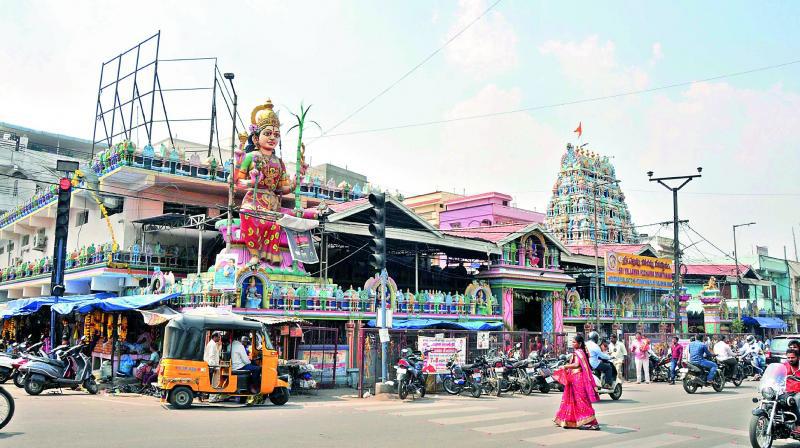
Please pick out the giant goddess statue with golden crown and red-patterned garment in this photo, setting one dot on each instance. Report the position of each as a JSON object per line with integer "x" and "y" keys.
{"x": 264, "y": 176}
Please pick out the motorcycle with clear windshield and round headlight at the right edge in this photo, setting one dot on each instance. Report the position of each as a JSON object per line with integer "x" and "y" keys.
{"x": 775, "y": 417}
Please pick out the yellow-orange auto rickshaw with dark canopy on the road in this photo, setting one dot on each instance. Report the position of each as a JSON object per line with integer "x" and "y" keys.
{"x": 184, "y": 374}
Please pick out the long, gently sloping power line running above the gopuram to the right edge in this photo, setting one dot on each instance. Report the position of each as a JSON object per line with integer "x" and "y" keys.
{"x": 565, "y": 103}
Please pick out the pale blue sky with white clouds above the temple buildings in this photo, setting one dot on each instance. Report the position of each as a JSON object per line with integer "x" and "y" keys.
{"x": 533, "y": 55}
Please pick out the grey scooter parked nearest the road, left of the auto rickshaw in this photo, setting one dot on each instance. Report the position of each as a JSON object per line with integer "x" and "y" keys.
{"x": 73, "y": 369}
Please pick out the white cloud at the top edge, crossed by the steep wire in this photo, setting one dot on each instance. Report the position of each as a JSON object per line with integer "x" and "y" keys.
{"x": 488, "y": 47}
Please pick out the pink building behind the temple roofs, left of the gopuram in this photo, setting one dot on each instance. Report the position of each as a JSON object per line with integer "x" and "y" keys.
{"x": 486, "y": 209}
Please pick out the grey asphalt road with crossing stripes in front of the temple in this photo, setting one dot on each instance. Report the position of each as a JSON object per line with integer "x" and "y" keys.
{"x": 654, "y": 415}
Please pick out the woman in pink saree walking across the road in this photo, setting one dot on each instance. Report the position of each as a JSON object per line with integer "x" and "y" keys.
{"x": 576, "y": 409}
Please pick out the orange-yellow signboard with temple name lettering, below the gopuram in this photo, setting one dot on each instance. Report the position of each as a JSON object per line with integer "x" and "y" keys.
{"x": 636, "y": 271}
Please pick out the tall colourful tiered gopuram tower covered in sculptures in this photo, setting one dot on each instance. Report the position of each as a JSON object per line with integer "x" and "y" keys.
{"x": 585, "y": 178}
